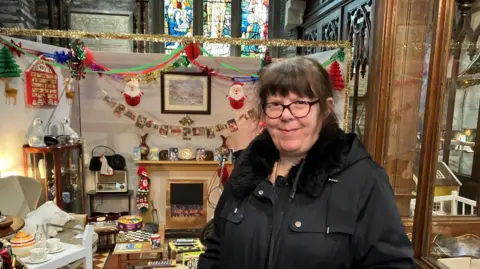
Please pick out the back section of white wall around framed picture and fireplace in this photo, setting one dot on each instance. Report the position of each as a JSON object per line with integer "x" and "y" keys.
{"x": 101, "y": 127}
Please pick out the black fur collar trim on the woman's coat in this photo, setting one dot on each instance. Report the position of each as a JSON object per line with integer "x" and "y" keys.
{"x": 327, "y": 157}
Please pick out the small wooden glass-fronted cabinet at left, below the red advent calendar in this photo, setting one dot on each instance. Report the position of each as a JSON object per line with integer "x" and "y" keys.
{"x": 60, "y": 170}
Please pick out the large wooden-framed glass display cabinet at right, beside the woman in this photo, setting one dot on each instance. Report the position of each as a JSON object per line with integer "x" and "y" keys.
{"x": 423, "y": 126}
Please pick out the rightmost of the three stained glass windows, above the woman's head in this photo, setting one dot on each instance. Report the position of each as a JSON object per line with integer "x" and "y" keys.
{"x": 254, "y": 25}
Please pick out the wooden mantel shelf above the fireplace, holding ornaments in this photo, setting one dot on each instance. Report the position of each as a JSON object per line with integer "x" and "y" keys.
{"x": 187, "y": 166}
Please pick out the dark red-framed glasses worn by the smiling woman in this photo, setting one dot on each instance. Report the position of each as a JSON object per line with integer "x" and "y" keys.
{"x": 298, "y": 109}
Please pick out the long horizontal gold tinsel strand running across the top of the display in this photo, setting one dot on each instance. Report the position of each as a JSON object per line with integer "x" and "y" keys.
{"x": 167, "y": 38}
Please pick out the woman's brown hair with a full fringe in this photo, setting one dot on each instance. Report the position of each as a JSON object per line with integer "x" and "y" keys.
{"x": 300, "y": 75}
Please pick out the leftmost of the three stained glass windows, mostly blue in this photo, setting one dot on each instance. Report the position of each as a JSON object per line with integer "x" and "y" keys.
{"x": 178, "y": 20}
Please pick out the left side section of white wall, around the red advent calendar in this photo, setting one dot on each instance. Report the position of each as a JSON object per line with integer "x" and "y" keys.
{"x": 16, "y": 120}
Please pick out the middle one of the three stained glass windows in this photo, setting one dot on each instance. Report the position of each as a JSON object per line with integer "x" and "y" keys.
{"x": 217, "y": 16}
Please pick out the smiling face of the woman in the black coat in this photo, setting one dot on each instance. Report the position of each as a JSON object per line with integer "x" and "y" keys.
{"x": 294, "y": 136}
